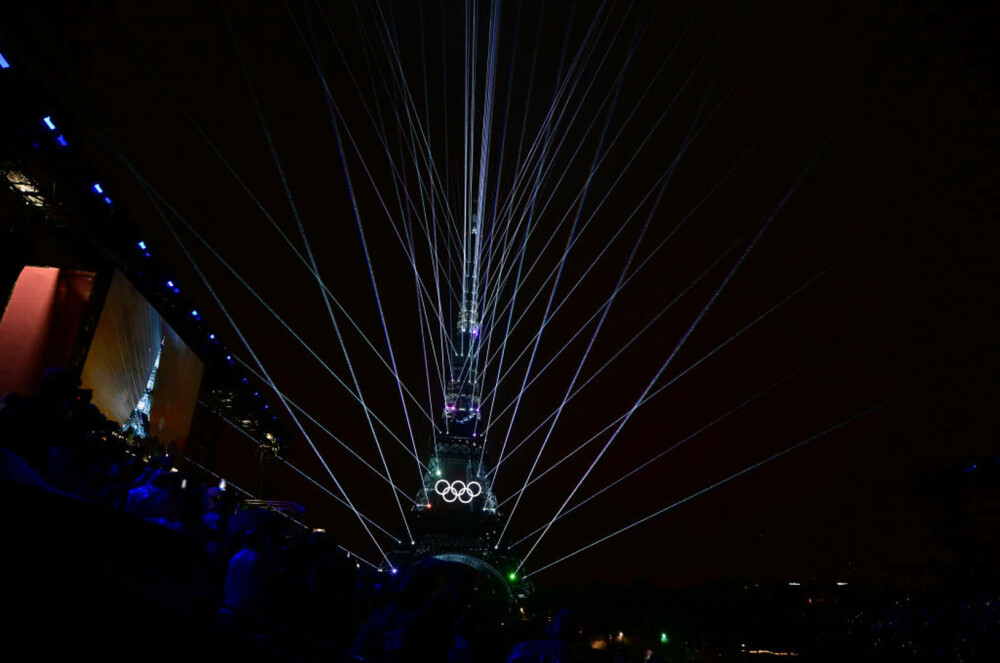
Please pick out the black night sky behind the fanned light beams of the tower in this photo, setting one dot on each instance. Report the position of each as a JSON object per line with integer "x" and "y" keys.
{"x": 893, "y": 107}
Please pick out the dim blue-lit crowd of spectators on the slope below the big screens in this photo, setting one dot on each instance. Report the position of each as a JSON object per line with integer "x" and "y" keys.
{"x": 267, "y": 574}
